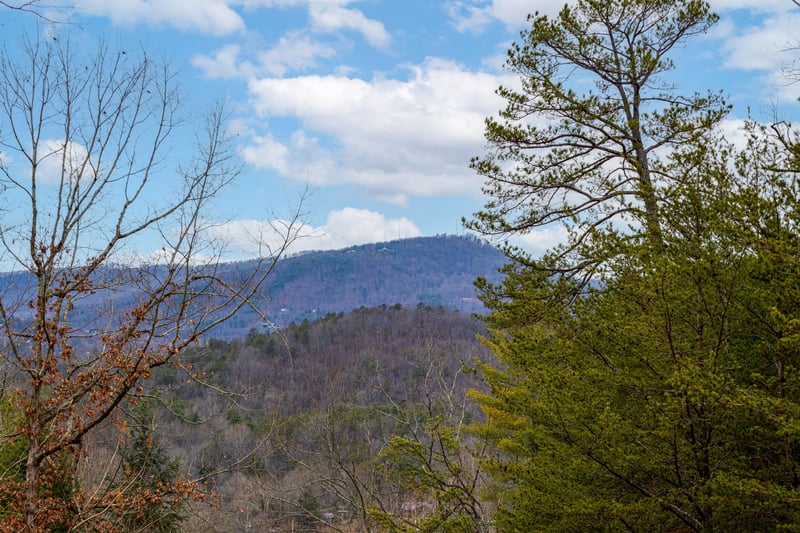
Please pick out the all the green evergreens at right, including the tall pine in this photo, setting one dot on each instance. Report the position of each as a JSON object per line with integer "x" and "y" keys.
{"x": 655, "y": 388}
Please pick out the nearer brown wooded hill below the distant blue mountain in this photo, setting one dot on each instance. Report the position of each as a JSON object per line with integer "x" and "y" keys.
{"x": 295, "y": 428}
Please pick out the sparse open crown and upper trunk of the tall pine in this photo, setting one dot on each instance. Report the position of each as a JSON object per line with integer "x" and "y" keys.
{"x": 589, "y": 160}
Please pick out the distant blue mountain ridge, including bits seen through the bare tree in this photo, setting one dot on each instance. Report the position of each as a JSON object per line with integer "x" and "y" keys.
{"x": 435, "y": 271}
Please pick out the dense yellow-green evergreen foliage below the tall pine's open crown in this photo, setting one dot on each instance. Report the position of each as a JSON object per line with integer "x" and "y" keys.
{"x": 661, "y": 400}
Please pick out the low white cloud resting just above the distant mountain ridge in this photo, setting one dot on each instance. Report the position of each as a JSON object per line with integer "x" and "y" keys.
{"x": 343, "y": 228}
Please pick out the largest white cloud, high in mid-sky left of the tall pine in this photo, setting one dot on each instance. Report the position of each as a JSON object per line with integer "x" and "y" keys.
{"x": 394, "y": 137}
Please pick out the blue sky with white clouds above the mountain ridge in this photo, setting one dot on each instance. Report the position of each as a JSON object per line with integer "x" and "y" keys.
{"x": 377, "y": 106}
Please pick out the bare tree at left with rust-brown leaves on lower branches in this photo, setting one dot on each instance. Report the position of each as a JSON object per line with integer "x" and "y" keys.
{"x": 85, "y": 174}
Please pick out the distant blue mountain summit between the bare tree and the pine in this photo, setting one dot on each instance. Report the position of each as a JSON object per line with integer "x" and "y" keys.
{"x": 429, "y": 270}
